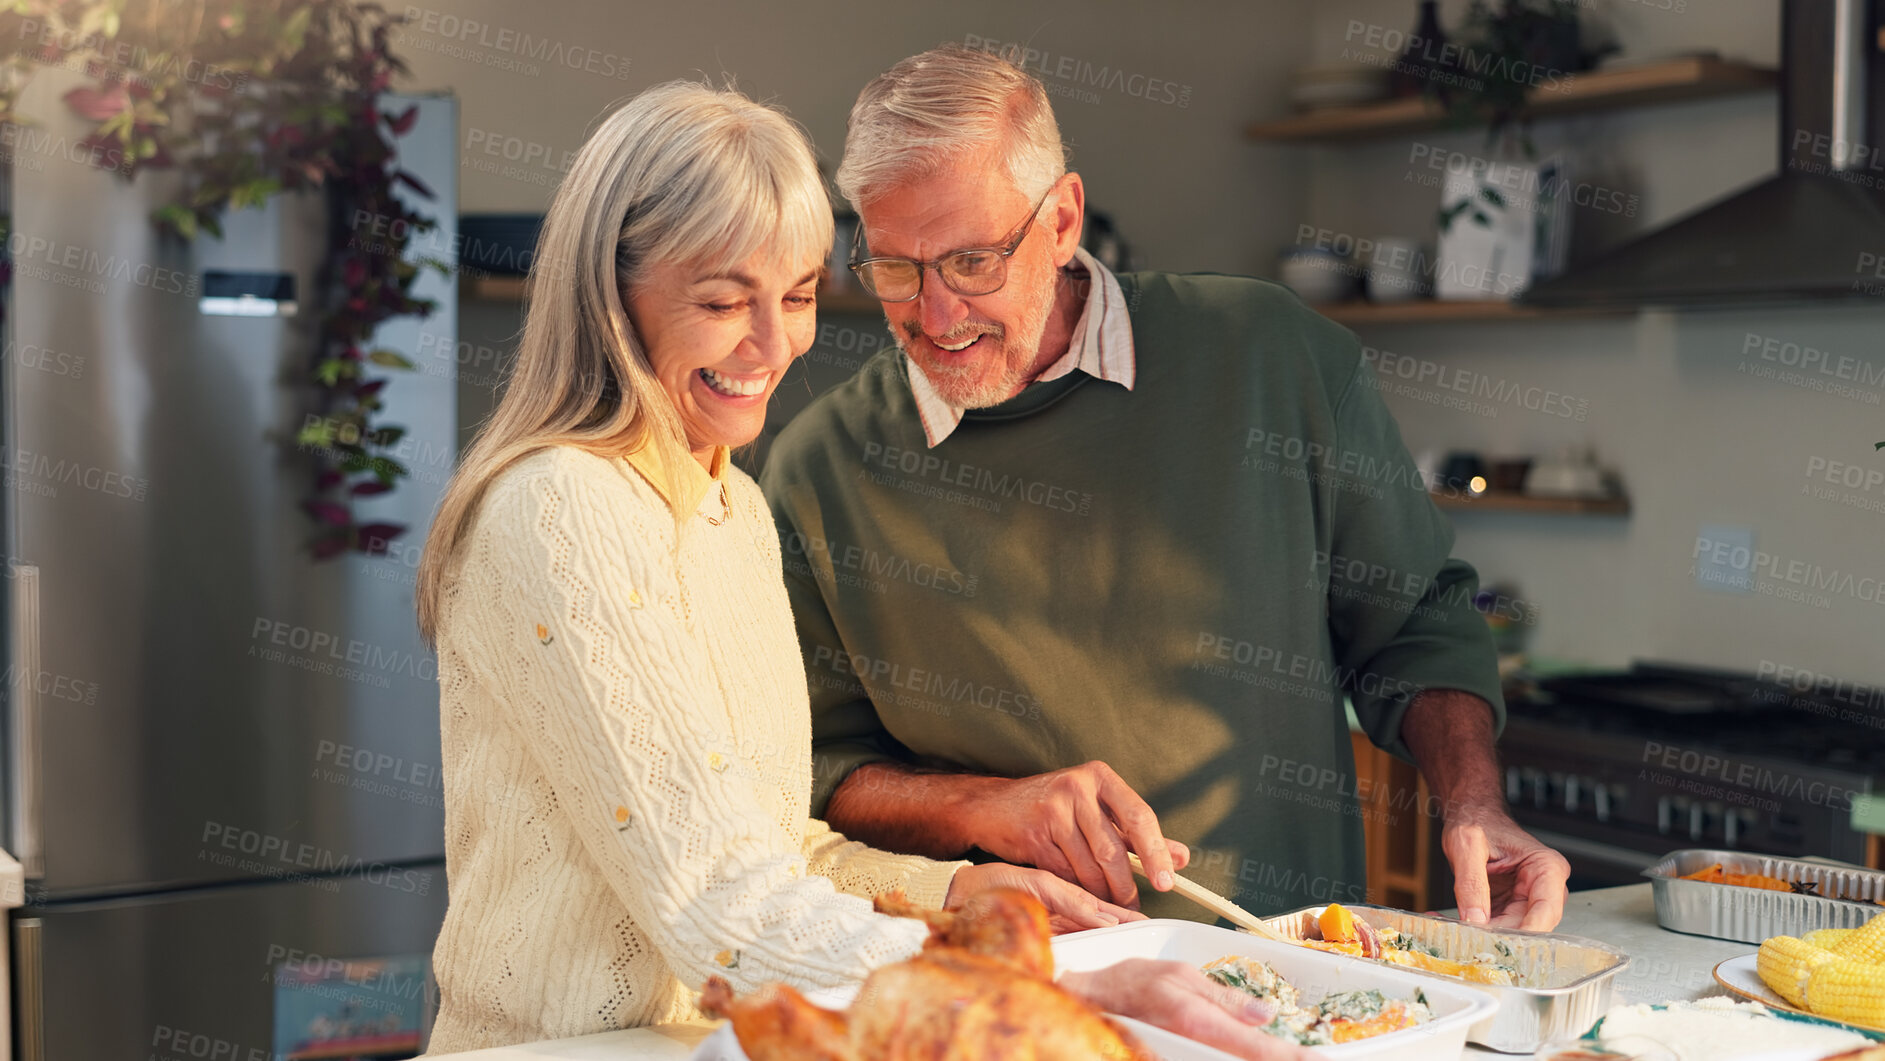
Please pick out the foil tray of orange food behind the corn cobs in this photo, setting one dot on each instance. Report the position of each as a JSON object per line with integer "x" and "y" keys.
{"x": 1752, "y": 915}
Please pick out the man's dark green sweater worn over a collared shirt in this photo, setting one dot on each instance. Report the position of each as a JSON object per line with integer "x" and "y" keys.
{"x": 1177, "y": 579}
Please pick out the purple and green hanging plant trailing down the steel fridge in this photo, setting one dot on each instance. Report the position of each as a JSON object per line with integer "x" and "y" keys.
{"x": 250, "y": 99}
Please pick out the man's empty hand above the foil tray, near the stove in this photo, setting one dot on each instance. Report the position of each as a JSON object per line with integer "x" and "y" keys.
{"x": 1501, "y": 873}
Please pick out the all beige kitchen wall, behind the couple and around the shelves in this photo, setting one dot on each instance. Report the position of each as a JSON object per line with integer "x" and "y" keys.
{"x": 1696, "y": 440}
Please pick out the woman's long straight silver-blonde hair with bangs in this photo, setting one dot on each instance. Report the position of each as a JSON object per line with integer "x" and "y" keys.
{"x": 681, "y": 174}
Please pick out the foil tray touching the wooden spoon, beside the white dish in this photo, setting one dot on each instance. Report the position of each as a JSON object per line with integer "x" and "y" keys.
{"x": 1569, "y": 981}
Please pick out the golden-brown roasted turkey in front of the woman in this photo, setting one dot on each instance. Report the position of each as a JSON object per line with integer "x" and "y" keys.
{"x": 981, "y": 988}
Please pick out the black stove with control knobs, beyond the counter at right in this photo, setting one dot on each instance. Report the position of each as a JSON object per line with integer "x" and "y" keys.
{"x": 1622, "y": 768}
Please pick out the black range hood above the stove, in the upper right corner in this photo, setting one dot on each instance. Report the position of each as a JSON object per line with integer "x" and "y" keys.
{"x": 1814, "y": 231}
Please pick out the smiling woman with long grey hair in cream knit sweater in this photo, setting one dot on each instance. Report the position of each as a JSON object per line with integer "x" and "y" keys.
{"x": 625, "y": 710}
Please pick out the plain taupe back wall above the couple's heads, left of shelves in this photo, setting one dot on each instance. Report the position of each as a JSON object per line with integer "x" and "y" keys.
{"x": 1179, "y": 180}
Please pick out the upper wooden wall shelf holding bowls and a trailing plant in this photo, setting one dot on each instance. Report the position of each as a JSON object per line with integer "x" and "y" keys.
{"x": 1696, "y": 78}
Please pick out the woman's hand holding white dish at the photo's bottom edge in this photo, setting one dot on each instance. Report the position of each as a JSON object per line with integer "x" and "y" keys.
{"x": 1181, "y": 1000}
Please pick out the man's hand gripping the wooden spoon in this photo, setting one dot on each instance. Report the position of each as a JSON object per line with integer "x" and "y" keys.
{"x": 1077, "y": 824}
